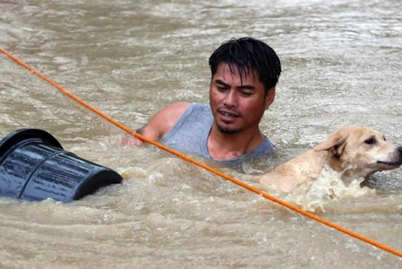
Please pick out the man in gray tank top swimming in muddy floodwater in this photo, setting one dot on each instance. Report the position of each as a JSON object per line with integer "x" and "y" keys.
{"x": 245, "y": 72}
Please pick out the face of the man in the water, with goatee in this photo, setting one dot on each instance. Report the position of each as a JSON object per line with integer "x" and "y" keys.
{"x": 237, "y": 103}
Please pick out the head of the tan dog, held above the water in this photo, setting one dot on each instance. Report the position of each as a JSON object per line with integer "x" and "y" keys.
{"x": 360, "y": 151}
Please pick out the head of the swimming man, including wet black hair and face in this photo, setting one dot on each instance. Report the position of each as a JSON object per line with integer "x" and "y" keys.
{"x": 244, "y": 74}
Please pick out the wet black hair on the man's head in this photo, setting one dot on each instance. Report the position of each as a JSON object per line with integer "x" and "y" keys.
{"x": 248, "y": 55}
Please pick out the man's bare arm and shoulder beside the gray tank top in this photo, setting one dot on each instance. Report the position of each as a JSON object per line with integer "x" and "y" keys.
{"x": 159, "y": 125}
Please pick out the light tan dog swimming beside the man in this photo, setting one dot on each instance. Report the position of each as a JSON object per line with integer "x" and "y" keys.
{"x": 353, "y": 151}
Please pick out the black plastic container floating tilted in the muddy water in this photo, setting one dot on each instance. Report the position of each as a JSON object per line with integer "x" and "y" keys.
{"x": 34, "y": 166}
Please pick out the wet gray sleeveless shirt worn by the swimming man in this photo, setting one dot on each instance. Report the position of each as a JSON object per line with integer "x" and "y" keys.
{"x": 190, "y": 135}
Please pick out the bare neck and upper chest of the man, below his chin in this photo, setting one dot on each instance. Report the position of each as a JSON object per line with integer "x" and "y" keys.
{"x": 223, "y": 146}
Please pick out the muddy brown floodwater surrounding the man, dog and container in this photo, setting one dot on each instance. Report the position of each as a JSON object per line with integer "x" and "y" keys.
{"x": 341, "y": 66}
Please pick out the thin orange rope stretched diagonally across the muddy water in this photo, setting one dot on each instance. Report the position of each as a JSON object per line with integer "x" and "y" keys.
{"x": 210, "y": 169}
